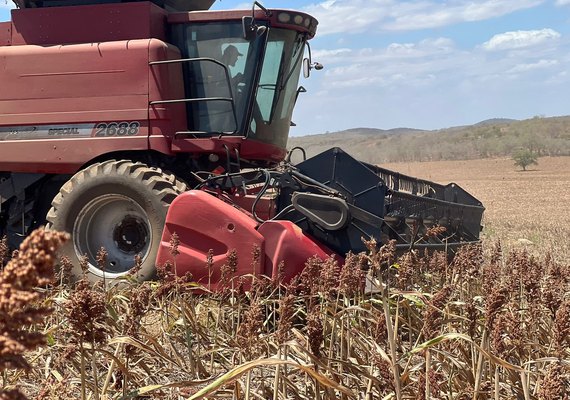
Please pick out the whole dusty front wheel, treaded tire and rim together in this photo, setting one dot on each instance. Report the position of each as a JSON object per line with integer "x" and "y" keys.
{"x": 120, "y": 206}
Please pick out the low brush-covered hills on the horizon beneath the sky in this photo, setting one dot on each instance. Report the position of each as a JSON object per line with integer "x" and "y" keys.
{"x": 496, "y": 137}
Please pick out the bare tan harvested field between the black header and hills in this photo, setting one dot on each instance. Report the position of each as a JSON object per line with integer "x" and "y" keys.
{"x": 523, "y": 208}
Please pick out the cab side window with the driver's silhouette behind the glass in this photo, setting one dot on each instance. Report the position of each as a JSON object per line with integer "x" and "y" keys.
{"x": 225, "y": 69}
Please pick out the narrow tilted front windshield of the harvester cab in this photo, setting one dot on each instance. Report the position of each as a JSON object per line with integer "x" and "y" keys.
{"x": 275, "y": 98}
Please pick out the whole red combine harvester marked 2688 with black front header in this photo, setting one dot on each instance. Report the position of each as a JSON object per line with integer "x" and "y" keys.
{"x": 110, "y": 111}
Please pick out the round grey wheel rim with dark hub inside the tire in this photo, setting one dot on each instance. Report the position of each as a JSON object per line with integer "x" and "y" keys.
{"x": 119, "y": 225}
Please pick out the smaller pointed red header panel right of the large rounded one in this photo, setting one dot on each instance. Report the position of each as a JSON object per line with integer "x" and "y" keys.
{"x": 285, "y": 242}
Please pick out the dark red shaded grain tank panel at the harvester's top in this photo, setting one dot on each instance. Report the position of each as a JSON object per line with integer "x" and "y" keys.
{"x": 88, "y": 24}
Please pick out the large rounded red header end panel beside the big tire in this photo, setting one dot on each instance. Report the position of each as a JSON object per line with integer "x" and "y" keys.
{"x": 202, "y": 223}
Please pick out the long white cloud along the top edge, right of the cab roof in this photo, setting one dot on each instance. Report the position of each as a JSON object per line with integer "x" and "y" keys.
{"x": 355, "y": 16}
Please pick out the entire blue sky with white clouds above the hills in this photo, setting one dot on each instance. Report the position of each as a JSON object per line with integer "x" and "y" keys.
{"x": 429, "y": 64}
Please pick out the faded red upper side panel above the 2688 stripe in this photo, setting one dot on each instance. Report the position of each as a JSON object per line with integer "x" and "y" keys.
{"x": 75, "y": 83}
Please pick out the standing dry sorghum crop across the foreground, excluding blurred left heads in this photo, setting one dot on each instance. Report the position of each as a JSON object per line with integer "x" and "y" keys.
{"x": 495, "y": 326}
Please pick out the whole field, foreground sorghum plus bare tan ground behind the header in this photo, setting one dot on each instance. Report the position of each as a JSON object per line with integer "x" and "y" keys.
{"x": 494, "y": 323}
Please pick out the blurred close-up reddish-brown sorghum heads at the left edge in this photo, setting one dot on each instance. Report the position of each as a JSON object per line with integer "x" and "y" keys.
{"x": 19, "y": 309}
